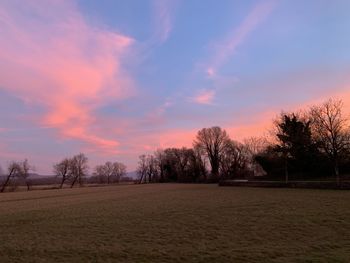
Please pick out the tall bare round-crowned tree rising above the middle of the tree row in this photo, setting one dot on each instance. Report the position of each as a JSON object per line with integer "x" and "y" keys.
{"x": 212, "y": 142}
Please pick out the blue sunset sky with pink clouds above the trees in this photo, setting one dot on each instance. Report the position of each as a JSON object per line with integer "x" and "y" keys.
{"x": 117, "y": 79}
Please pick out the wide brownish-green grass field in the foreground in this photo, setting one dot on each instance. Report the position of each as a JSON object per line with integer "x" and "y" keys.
{"x": 175, "y": 223}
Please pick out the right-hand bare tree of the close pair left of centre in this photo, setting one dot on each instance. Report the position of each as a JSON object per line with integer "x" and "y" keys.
{"x": 78, "y": 168}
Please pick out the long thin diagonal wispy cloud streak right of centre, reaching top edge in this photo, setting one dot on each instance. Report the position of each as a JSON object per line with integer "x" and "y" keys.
{"x": 227, "y": 47}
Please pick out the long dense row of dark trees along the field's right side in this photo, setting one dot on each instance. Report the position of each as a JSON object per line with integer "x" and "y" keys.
{"x": 308, "y": 144}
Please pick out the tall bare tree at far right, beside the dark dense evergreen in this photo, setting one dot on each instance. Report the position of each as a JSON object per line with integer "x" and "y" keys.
{"x": 331, "y": 131}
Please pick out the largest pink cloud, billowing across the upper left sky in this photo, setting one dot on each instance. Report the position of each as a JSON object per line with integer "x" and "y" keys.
{"x": 51, "y": 57}
